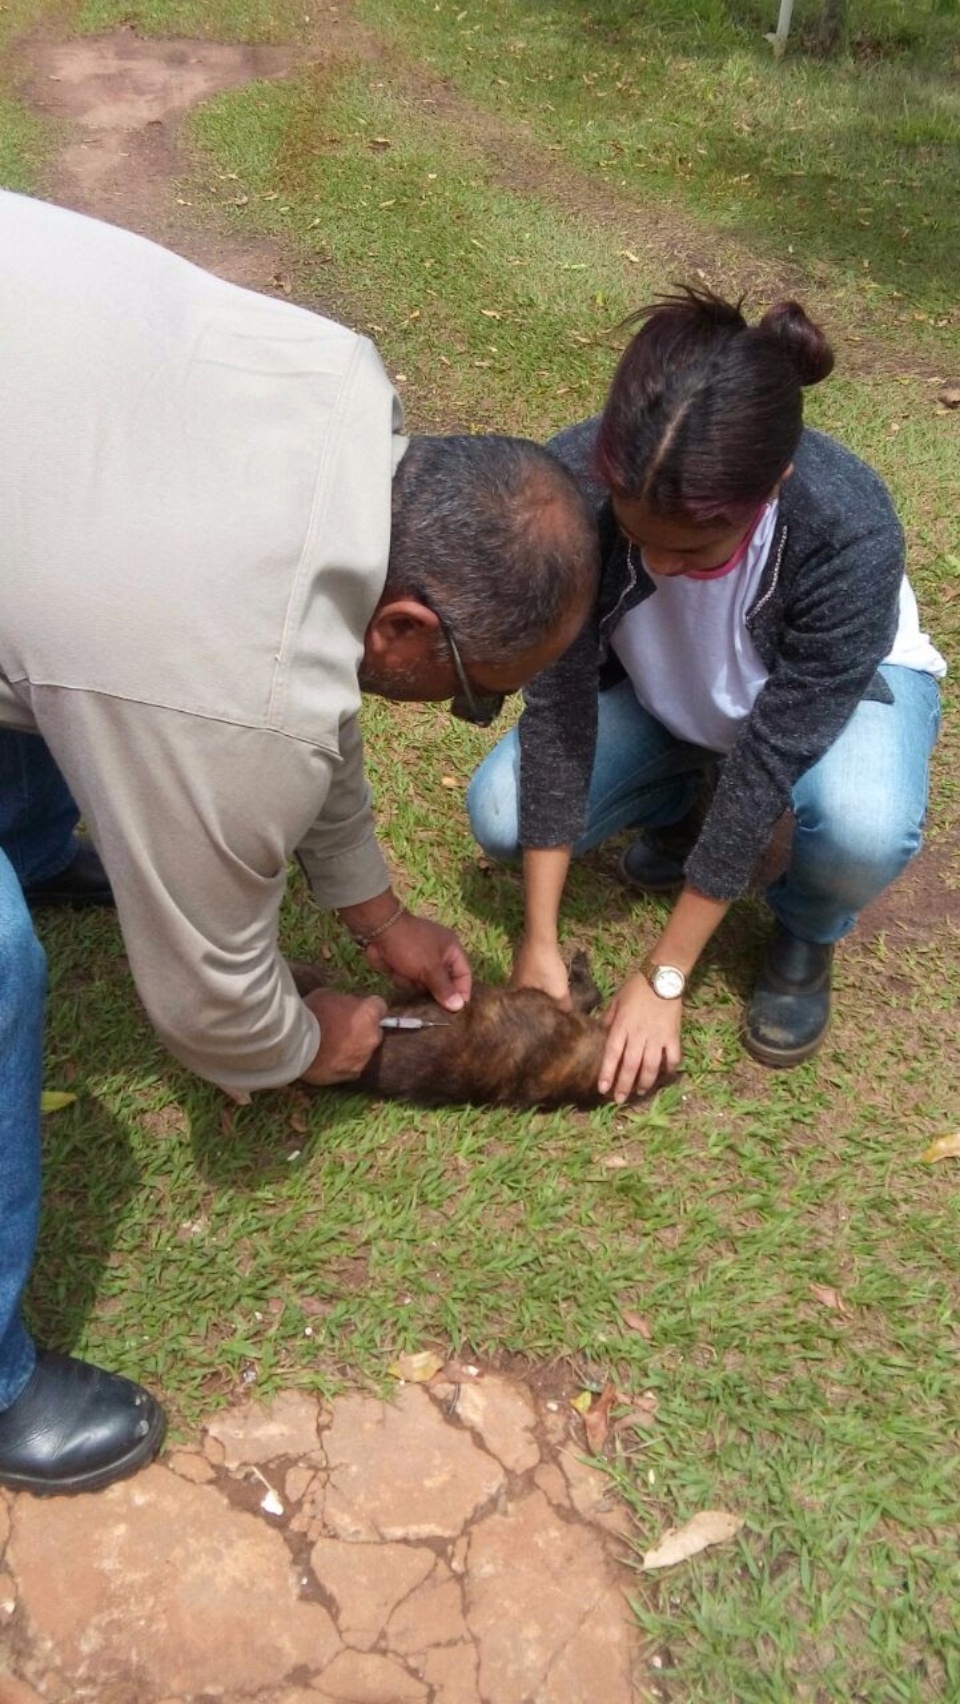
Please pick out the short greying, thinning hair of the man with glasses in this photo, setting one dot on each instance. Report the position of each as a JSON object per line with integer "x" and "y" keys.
{"x": 497, "y": 534}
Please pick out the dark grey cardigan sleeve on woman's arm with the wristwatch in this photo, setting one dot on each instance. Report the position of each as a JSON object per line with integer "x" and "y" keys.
{"x": 838, "y": 630}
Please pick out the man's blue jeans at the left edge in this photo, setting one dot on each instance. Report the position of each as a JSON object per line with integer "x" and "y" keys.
{"x": 37, "y": 841}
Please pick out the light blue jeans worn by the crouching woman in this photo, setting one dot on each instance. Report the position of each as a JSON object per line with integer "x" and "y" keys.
{"x": 859, "y": 810}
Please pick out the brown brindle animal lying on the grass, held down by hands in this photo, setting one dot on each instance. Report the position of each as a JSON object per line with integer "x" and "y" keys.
{"x": 507, "y": 1047}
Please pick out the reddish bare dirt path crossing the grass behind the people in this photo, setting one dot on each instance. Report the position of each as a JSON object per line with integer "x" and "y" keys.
{"x": 127, "y": 96}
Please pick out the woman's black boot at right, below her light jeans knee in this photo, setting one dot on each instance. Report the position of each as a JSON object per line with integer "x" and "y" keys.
{"x": 790, "y": 1008}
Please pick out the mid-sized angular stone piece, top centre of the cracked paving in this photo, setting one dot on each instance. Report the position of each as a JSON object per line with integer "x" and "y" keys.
{"x": 402, "y": 1471}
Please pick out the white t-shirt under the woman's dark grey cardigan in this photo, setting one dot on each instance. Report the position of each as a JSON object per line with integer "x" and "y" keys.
{"x": 693, "y": 662}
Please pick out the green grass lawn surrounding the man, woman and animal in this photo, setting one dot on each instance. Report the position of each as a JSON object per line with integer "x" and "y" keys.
{"x": 461, "y": 199}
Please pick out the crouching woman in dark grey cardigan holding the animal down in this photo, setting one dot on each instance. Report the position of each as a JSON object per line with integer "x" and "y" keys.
{"x": 763, "y": 636}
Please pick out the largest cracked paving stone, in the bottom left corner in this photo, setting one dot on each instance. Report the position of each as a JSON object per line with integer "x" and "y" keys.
{"x": 161, "y": 1586}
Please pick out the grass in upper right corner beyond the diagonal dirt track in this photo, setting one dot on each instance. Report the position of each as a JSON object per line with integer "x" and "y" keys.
{"x": 852, "y": 164}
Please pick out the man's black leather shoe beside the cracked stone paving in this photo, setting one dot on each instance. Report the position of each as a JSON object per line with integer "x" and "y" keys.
{"x": 78, "y": 1429}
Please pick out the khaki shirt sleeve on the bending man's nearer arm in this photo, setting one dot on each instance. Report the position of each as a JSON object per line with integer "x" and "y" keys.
{"x": 195, "y": 822}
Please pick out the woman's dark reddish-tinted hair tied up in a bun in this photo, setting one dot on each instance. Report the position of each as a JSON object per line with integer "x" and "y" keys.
{"x": 705, "y": 412}
